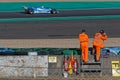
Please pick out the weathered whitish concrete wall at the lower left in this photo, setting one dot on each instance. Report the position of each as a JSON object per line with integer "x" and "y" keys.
{"x": 23, "y": 66}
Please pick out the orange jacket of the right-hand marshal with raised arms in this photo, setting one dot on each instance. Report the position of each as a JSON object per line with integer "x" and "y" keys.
{"x": 99, "y": 40}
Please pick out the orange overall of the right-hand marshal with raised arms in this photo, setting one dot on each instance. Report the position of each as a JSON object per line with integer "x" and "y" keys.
{"x": 98, "y": 43}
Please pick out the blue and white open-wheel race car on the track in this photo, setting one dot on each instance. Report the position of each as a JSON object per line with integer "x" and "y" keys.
{"x": 41, "y": 9}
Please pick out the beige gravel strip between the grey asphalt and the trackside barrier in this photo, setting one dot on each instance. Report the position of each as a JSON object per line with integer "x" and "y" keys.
{"x": 51, "y": 43}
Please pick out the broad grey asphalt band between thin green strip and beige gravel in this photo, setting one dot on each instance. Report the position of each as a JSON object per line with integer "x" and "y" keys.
{"x": 58, "y": 29}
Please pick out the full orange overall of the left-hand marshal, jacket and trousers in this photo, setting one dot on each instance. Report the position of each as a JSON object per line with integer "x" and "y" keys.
{"x": 83, "y": 38}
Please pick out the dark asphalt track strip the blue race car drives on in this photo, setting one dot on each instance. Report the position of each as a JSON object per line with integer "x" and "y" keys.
{"x": 63, "y": 13}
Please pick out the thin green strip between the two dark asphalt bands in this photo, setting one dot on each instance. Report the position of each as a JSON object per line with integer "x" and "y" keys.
{"x": 58, "y": 18}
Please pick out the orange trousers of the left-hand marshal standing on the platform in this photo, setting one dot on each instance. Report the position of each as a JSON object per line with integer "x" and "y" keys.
{"x": 84, "y": 53}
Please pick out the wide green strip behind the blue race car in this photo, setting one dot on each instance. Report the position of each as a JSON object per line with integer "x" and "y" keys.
{"x": 17, "y": 6}
